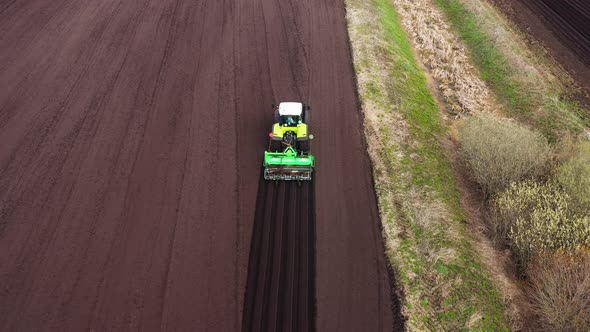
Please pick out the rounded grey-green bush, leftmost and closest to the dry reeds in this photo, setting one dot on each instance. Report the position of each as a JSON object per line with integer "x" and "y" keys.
{"x": 499, "y": 153}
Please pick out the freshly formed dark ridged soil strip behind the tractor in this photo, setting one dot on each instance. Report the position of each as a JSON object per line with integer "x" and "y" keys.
{"x": 280, "y": 291}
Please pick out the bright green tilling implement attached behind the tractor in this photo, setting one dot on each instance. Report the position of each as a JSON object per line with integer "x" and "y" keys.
{"x": 288, "y": 165}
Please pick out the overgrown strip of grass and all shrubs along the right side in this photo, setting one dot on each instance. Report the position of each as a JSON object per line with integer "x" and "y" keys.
{"x": 538, "y": 193}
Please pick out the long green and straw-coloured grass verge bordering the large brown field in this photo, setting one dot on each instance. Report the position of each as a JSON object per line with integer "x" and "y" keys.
{"x": 445, "y": 284}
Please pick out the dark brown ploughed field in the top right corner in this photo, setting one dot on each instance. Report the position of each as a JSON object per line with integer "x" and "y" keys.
{"x": 562, "y": 26}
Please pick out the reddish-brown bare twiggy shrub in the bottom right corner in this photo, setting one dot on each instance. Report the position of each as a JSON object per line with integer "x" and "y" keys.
{"x": 560, "y": 291}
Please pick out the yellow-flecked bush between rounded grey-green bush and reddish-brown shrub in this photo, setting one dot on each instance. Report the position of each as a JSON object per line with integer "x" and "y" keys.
{"x": 537, "y": 217}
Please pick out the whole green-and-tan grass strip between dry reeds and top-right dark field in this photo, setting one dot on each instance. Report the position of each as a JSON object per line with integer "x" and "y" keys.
{"x": 530, "y": 87}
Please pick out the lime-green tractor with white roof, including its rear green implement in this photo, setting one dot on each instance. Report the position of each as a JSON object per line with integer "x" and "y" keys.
{"x": 288, "y": 157}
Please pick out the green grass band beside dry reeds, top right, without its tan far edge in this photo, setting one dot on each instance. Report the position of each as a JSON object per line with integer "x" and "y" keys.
{"x": 547, "y": 108}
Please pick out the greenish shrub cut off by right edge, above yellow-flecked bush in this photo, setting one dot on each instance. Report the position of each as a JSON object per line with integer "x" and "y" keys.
{"x": 574, "y": 177}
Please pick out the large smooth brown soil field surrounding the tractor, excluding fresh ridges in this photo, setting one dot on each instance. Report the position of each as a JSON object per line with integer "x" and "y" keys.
{"x": 132, "y": 135}
